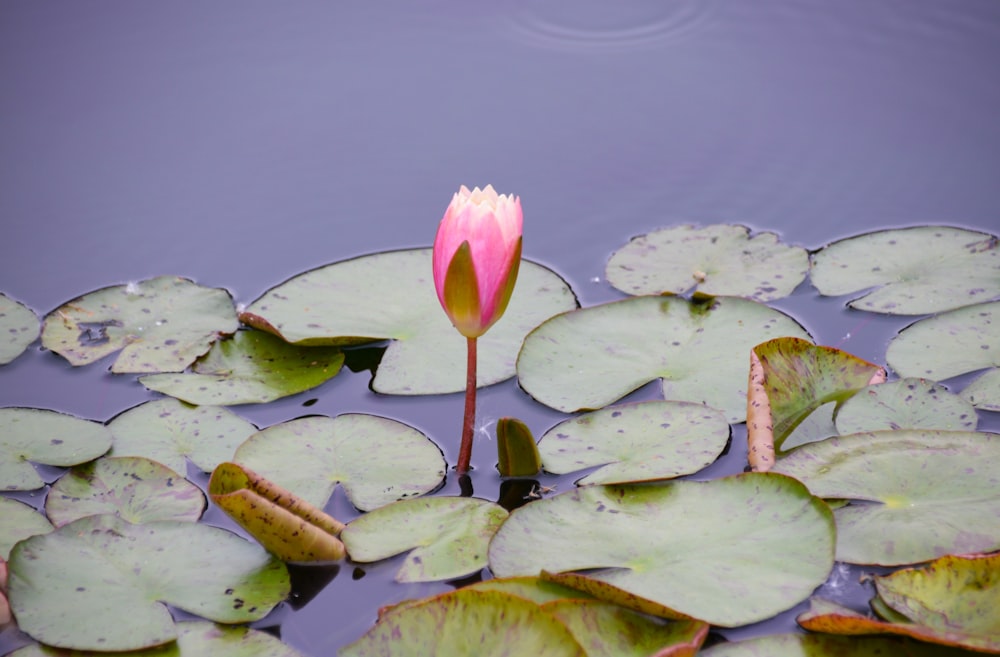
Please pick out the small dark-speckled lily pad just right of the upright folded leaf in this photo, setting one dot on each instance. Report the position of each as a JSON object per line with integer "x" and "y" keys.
{"x": 906, "y": 404}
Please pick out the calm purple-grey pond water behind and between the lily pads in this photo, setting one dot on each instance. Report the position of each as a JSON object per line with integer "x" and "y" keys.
{"x": 239, "y": 144}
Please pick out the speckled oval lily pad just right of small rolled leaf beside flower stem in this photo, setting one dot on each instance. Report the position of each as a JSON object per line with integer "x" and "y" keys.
{"x": 636, "y": 442}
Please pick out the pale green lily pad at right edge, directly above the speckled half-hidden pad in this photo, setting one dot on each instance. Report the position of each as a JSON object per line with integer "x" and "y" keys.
{"x": 953, "y": 343}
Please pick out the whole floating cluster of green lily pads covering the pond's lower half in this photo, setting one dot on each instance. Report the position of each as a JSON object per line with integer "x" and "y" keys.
{"x": 849, "y": 468}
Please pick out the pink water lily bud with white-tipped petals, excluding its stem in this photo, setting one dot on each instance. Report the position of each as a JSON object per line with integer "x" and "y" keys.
{"x": 477, "y": 252}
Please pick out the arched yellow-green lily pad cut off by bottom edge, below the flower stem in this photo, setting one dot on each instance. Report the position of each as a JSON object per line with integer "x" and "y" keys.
{"x": 467, "y": 622}
